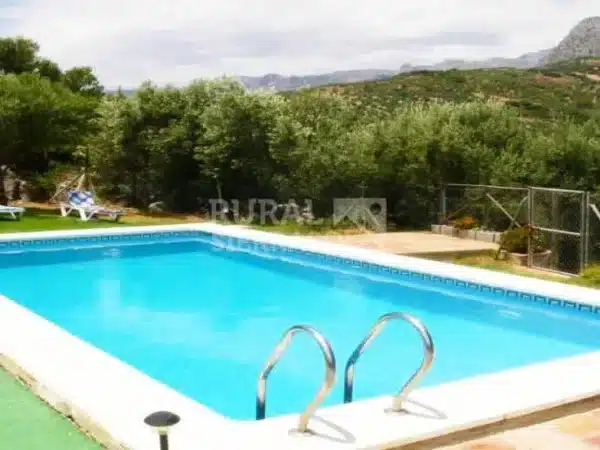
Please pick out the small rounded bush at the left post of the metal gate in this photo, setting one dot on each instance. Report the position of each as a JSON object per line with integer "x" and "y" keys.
{"x": 514, "y": 246}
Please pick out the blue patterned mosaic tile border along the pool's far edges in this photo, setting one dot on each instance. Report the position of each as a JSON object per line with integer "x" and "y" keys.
{"x": 235, "y": 243}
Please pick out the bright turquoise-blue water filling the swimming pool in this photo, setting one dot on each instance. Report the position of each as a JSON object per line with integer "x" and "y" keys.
{"x": 204, "y": 320}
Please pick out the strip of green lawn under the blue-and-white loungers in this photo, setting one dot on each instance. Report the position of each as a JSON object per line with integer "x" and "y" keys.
{"x": 47, "y": 220}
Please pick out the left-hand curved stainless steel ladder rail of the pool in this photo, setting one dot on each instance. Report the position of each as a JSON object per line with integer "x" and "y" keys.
{"x": 325, "y": 388}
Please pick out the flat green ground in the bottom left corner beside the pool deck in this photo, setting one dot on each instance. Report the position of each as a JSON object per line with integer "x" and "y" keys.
{"x": 27, "y": 423}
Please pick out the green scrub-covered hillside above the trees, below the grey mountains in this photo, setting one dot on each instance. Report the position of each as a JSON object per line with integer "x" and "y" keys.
{"x": 566, "y": 88}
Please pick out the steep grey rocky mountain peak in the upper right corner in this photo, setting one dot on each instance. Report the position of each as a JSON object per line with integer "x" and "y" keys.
{"x": 583, "y": 41}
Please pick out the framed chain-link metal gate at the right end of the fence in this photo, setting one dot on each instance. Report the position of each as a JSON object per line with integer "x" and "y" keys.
{"x": 558, "y": 218}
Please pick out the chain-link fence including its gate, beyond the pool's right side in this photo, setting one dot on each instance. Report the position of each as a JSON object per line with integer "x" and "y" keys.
{"x": 564, "y": 225}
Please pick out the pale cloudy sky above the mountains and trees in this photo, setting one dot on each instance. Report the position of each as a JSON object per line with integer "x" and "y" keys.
{"x": 128, "y": 41}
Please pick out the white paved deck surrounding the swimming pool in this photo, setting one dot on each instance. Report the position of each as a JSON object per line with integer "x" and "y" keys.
{"x": 97, "y": 388}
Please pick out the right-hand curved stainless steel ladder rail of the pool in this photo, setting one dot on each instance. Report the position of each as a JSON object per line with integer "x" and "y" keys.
{"x": 429, "y": 352}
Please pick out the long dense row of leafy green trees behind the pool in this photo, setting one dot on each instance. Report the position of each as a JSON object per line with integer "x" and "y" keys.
{"x": 182, "y": 146}
